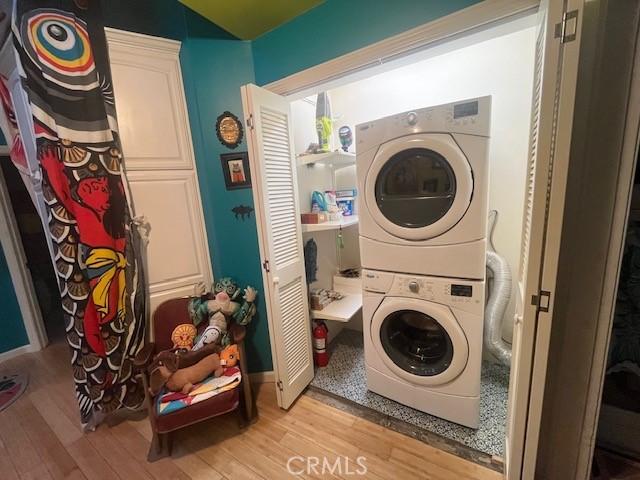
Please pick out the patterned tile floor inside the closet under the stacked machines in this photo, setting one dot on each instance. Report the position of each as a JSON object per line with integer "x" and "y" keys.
{"x": 345, "y": 377}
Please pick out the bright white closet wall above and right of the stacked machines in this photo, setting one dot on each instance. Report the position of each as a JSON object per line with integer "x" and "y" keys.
{"x": 501, "y": 67}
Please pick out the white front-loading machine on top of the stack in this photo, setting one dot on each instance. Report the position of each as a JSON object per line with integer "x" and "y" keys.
{"x": 423, "y": 179}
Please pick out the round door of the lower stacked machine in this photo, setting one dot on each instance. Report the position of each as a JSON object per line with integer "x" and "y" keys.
{"x": 419, "y": 341}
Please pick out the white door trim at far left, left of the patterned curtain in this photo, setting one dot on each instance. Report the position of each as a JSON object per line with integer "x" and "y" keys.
{"x": 20, "y": 274}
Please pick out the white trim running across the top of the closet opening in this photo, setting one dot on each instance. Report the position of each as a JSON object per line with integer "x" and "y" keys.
{"x": 447, "y": 28}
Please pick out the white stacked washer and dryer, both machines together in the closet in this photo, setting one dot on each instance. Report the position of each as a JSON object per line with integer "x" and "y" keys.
{"x": 423, "y": 176}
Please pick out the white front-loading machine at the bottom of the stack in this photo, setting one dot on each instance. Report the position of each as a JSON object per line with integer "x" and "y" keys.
{"x": 423, "y": 342}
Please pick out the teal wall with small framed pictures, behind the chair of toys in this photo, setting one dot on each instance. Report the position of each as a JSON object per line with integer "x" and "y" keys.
{"x": 213, "y": 72}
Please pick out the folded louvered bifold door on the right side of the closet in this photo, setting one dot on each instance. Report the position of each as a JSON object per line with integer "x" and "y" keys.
{"x": 555, "y": 73}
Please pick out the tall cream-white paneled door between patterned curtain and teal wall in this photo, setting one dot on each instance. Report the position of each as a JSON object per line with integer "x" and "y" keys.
{"x": 156, "y": 141}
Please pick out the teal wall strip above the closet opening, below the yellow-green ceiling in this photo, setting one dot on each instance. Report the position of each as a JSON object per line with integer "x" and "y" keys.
{"x": 336, "y": 27}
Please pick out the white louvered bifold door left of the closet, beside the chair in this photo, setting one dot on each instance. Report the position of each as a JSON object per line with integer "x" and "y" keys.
{"x": 273, "y": 174}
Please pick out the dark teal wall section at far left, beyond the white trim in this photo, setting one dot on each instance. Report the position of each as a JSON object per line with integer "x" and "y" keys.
{"x": 12, "y": 331}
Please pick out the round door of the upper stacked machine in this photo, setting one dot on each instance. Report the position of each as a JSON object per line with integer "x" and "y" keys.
{"x": 419, "y": 186}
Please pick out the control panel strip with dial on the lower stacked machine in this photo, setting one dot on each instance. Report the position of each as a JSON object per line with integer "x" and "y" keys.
{"x": 466, "y": 295}
